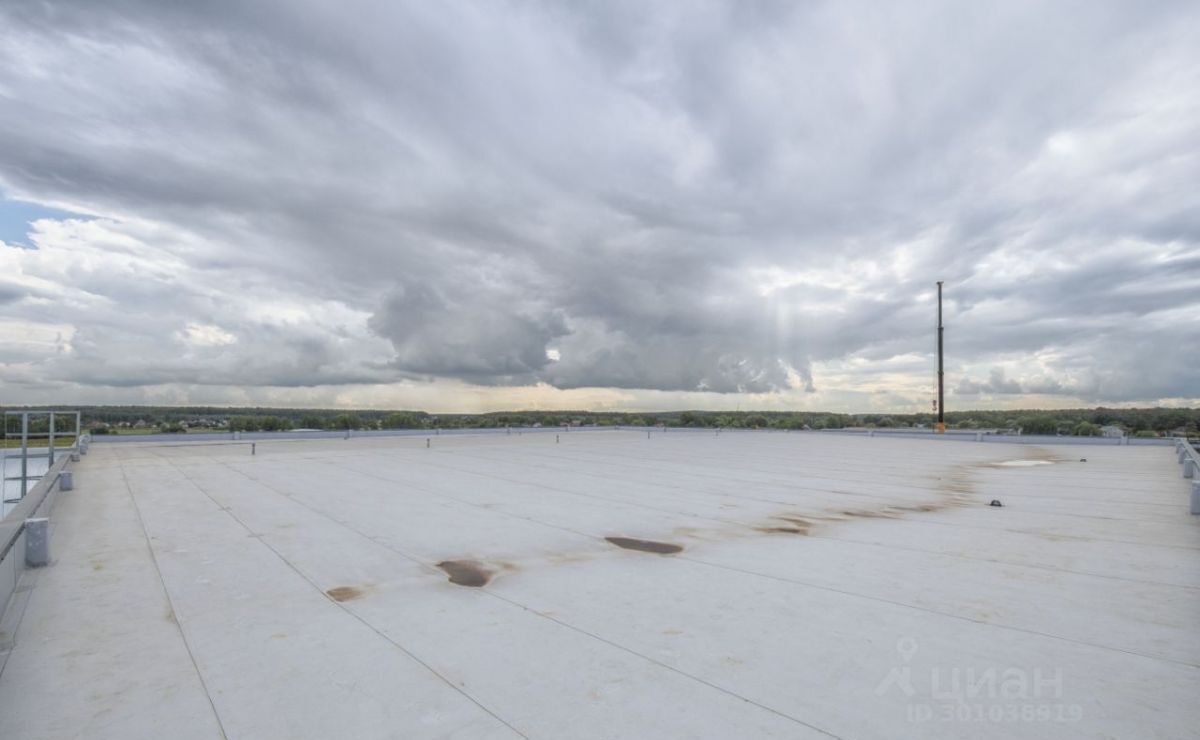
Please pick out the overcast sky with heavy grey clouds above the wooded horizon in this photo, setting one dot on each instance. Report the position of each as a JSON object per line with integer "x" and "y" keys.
{"x": 482, "y": 206}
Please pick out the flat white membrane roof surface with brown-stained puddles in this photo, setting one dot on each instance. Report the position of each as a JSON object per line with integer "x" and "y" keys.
{"x": 613, "y": 586}
